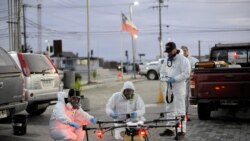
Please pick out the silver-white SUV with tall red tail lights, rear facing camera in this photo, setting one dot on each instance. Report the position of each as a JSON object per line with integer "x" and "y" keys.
{"x": 42, "y": 81}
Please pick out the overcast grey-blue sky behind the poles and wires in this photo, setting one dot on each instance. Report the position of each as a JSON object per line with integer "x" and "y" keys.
{"x": 210, "y": 21}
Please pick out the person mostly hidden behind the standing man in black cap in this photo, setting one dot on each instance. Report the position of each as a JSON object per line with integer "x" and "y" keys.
{"x": 192, "y": 62}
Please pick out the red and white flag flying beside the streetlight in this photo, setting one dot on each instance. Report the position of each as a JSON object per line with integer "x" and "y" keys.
{"x": 128, "y": 26}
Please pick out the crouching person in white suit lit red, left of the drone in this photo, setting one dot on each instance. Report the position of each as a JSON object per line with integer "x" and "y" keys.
{"x": 68, "y": 118}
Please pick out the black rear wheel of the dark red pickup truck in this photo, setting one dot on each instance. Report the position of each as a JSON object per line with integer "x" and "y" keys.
{"x": 203, "y": 111}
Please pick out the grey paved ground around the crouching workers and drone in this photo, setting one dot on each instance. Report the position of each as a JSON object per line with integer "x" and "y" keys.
{"x": 225, "y": 125}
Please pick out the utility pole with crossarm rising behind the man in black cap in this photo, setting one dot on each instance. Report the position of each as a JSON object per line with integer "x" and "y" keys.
{"x": 160, "y": 25}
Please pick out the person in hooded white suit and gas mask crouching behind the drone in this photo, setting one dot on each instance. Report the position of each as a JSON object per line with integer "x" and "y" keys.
{"x": 123, "y": 103}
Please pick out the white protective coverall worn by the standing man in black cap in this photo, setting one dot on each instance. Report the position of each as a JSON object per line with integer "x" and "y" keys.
{"x": 180, "y": 71}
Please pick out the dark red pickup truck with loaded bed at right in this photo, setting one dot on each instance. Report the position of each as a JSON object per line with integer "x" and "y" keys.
{"x": 223, "y": 81}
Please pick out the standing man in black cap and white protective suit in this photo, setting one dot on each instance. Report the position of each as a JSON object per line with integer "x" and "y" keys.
{"x": 174, "y": 71}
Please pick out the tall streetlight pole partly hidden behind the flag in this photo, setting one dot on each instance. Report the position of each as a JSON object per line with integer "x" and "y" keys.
{"x": 133, "y": 38}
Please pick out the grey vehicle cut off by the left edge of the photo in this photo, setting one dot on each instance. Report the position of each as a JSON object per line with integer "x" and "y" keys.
{"x": 11, "y": 86}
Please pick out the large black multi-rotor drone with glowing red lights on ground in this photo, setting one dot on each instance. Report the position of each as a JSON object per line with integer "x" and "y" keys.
{"x": 134, "y": 129}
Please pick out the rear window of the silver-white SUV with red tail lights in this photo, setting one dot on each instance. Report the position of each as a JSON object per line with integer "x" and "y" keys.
{"x": 39, "y": 64}
